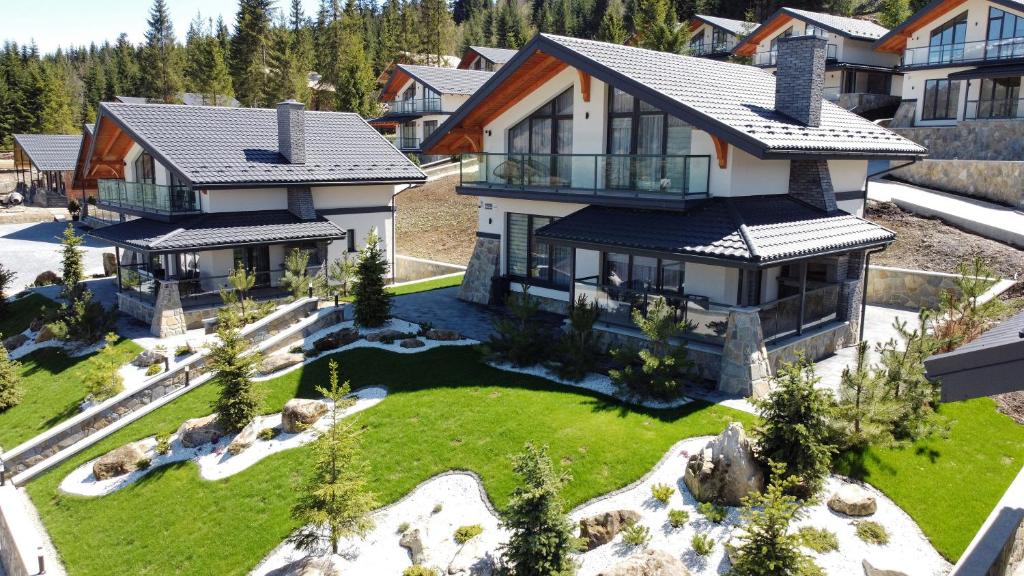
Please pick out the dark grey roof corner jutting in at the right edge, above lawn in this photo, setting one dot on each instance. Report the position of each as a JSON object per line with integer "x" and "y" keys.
{"x": 991, "y": 364}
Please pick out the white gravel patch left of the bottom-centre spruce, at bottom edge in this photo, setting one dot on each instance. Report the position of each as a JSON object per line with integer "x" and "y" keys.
{"x": 462, "y": 505}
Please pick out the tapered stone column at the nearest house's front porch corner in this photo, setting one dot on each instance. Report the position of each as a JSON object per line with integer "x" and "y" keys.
{"x": 745, "y": 368}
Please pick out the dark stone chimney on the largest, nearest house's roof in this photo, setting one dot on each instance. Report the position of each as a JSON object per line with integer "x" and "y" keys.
{"x": 800, "y": 78}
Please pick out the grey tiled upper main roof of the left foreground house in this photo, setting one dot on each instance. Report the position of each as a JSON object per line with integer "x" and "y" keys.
{"x": 223, "y": 147}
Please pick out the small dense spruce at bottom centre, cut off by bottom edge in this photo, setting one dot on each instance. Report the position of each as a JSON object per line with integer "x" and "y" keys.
{"x": 542, "y": 538}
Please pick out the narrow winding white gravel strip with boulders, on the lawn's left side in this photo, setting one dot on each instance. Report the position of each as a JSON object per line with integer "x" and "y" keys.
{"x": 215, "y": 461}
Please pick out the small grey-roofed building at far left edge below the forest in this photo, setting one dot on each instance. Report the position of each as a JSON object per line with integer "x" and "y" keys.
{"x": 45, "y": 166}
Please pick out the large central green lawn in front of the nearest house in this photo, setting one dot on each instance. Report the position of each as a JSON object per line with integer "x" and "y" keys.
{"x": 468, "y": 417}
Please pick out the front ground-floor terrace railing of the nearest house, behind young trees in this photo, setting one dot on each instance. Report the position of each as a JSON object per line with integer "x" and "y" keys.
{"x": 708, "y": 320}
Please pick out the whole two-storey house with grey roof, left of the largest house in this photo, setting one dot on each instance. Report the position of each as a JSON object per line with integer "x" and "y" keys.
{"x": 212, "y": 189}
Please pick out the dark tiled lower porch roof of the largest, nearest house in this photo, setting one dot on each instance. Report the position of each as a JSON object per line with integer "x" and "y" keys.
{"x": 758, "y": 230}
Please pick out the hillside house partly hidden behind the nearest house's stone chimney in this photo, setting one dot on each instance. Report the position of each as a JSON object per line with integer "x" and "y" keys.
{"x": 858, "y": 77}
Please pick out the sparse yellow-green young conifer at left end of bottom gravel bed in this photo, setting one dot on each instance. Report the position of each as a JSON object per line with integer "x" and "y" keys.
{"x": 335, "y": 502}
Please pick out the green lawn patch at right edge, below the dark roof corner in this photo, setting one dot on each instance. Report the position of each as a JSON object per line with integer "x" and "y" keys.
{"x": 949, "y": 485}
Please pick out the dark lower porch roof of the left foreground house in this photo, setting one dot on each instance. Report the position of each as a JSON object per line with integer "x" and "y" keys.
{"x": 218, "y": 230}
